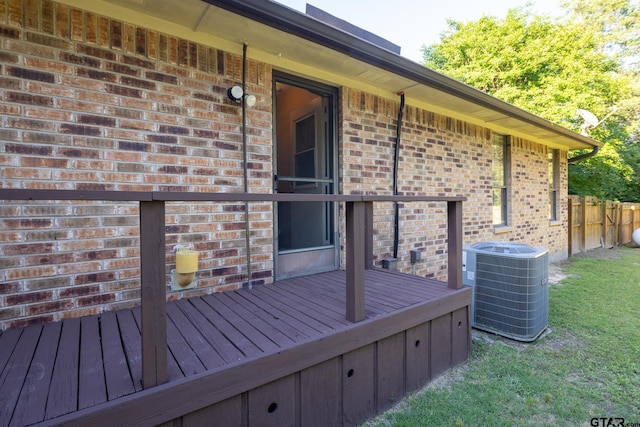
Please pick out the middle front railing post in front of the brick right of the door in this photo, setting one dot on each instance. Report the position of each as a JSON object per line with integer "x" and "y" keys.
{"x": 356, "y": 220}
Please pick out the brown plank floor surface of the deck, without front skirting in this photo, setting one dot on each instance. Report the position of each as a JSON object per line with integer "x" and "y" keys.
{"x": 94, "y": 360}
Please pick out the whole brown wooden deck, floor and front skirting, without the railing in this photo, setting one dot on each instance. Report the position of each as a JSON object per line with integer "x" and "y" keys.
{"x": 273, "y": 355}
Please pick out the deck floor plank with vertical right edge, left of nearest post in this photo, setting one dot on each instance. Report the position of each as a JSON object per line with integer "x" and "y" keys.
{"x": 63, "y": 393}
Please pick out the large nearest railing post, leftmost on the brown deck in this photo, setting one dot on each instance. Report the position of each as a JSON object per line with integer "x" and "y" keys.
{"x": 152, "y": 297}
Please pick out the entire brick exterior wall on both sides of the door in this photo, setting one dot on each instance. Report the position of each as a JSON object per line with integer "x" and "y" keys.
{"x": 90, "y": 102}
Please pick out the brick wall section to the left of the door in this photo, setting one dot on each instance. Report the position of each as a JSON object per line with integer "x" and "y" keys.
{"x": 89, "y": 102}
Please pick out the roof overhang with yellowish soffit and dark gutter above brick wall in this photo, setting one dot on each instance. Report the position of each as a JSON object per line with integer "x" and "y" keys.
{"x": 291, "y": 41}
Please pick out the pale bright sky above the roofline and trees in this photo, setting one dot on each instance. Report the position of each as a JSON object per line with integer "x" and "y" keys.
{"x": 412, "y": 23}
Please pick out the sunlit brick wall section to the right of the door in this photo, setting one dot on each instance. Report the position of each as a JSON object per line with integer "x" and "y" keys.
{"x": 441, "y": 156}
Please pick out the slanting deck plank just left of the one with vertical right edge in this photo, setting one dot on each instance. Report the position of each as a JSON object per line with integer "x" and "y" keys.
{"x": 33, "y": 398}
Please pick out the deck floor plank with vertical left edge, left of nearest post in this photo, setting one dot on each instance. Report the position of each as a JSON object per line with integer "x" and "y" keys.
{"x": 91, "y": 384}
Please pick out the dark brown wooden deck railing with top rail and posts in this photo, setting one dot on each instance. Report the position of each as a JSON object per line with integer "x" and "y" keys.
{"x": 359, "y": 250}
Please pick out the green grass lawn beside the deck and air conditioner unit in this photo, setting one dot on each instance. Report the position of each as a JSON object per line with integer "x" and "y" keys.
{"x": 587, "y": 367}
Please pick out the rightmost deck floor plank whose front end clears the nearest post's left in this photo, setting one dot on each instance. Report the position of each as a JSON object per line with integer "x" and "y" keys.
{"x": 116, "y": 369}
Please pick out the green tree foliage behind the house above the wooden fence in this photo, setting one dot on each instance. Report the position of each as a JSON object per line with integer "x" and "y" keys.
{"x": 552, "y": 67}
